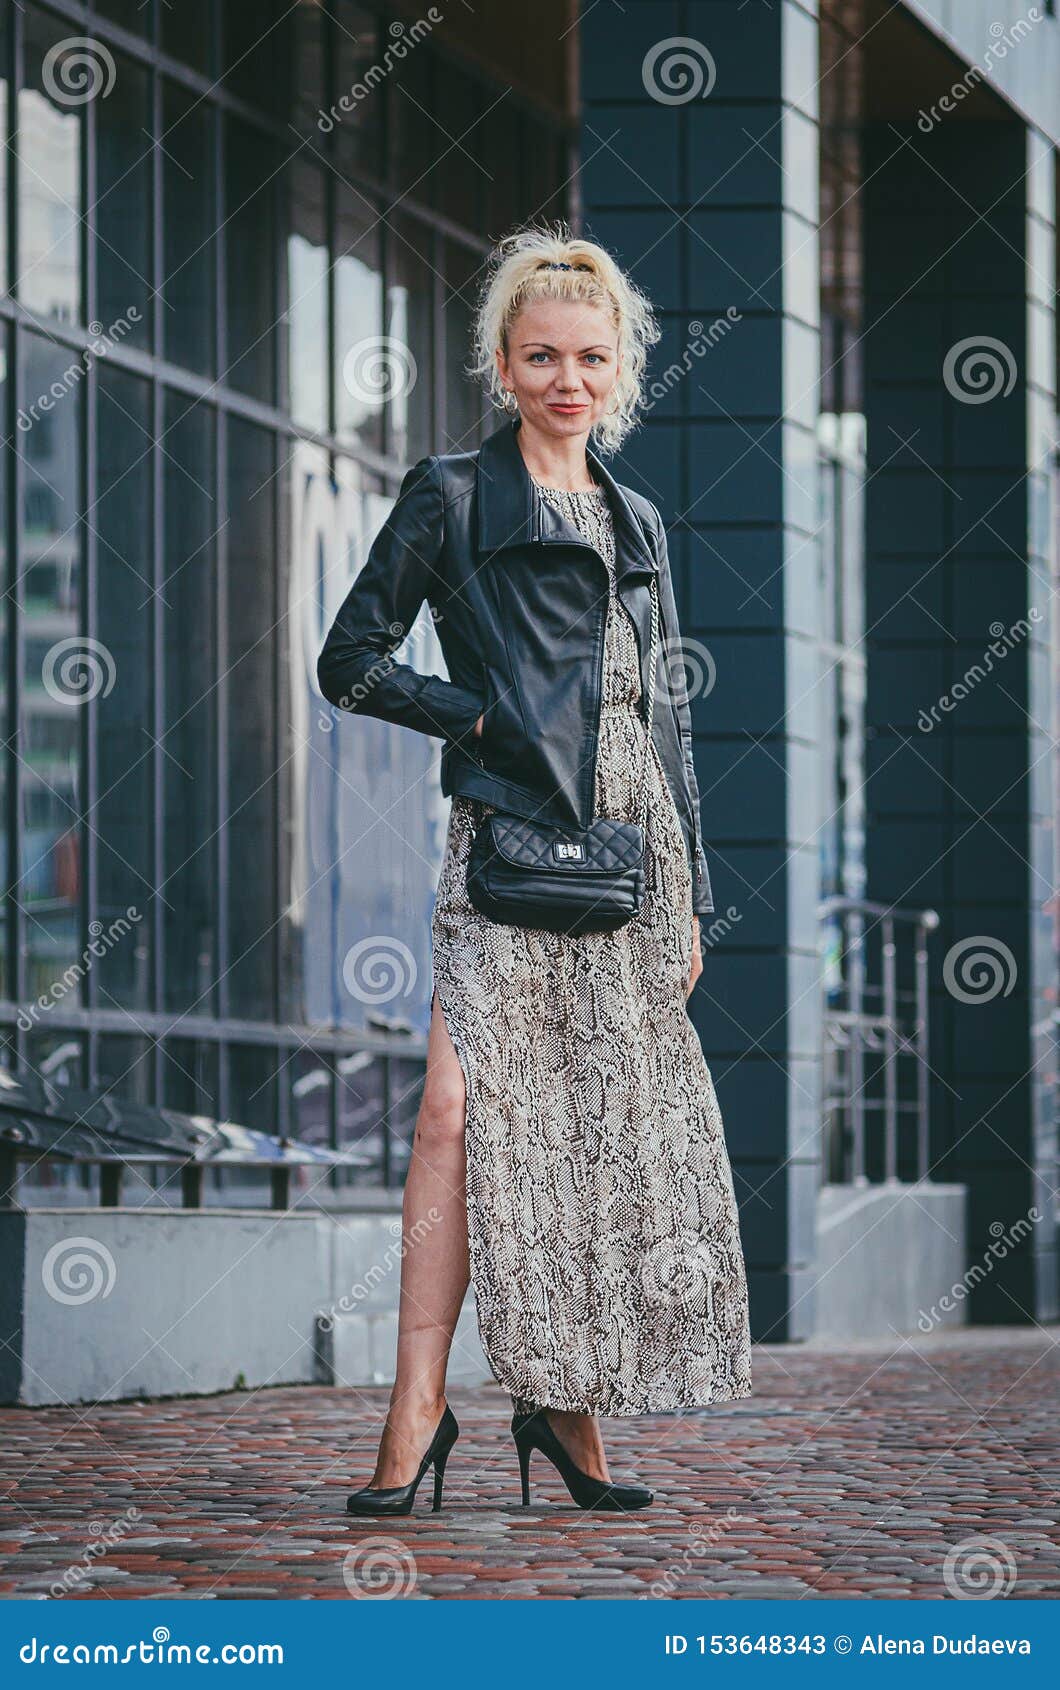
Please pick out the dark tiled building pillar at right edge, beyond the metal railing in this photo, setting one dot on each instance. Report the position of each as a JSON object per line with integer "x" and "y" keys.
{"x": 961, "y": 418}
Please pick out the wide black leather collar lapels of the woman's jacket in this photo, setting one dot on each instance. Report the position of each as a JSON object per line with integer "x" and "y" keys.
{"x": 511, "y": 511}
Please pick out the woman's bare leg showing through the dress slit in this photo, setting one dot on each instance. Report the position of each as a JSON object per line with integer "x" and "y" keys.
{"x": 435, "y": 1263}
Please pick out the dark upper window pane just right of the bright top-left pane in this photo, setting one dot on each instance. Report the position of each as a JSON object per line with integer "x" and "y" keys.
{"x": 124, "y": 207}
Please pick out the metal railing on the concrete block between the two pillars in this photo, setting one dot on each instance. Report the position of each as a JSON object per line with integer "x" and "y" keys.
{"x": 875, "y": 1040}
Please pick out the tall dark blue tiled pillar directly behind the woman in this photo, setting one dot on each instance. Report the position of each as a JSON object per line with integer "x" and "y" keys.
{"x": 701, "y": 172}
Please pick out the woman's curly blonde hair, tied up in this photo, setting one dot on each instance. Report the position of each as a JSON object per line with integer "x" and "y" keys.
{"x": 523, "y": 270}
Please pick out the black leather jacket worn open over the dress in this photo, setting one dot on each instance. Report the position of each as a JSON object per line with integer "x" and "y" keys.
{"x": 520, "y": 602}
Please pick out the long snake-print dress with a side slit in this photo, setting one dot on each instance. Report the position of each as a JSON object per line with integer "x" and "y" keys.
{"x": 603, "y": 1226}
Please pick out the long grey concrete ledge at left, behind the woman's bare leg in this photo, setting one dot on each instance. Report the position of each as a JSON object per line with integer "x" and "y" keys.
{"x": 107, "y": 1304}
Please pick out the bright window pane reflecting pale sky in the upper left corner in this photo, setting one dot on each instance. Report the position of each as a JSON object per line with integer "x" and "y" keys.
{"x": 50, "y": 183}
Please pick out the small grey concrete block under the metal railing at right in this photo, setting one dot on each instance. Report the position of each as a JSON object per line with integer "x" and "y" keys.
{"x": 888, "y": 1260}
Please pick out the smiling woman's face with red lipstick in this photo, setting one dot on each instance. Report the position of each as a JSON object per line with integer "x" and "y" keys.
{"x": 562, "y": 364}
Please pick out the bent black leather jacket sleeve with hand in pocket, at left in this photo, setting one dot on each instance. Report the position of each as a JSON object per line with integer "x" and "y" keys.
{"x": 356, "y": 670}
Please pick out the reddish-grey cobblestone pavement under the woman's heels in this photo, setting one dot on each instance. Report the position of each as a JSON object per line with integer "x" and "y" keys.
{"x": 846, "y": 1475}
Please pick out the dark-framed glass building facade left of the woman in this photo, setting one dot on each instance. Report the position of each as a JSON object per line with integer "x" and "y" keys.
{"x": 241, "y": 248}
